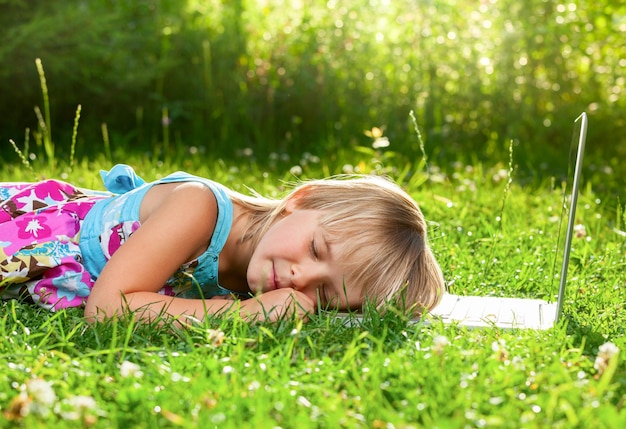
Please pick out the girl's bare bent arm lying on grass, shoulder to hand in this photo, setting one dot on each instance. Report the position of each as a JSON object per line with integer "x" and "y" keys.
{"x": 177, "y": 228}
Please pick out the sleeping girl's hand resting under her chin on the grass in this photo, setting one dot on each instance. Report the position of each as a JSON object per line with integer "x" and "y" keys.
{"x": 278, "y": 303}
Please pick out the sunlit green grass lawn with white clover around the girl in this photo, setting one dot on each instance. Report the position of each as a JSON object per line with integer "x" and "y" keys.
{"x": 383, "y": 373}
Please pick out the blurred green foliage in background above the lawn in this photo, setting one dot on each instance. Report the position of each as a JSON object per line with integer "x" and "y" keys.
{"x": 294, "y": 76}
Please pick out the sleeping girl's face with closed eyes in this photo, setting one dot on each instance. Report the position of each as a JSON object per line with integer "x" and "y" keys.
{"x": 295, "y": 253}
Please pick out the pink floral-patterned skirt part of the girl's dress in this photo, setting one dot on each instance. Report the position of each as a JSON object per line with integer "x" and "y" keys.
{"x": 40, "y": 258}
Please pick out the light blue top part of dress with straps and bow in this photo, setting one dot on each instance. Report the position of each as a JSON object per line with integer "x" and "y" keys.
{"x": 196, "y": 279}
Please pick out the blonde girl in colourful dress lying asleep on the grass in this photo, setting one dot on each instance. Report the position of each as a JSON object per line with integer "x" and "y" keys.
{"x": 165, "y": 248}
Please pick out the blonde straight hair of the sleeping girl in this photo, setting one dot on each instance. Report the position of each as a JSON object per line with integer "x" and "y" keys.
{"x": 382, "y": 231}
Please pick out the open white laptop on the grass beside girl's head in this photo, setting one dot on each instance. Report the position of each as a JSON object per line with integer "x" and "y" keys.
{"x": 485, "y": 311}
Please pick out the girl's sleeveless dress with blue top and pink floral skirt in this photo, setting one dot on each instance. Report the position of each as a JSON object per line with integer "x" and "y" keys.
{"x": 55, "y": 238}
